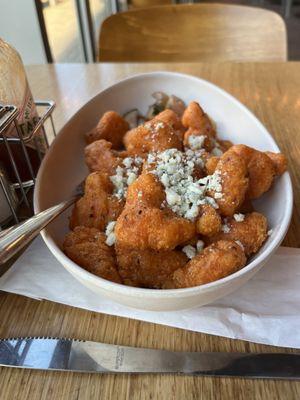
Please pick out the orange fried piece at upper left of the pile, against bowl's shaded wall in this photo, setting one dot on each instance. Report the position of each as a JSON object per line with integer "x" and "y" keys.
{"x": 111, "y": 127}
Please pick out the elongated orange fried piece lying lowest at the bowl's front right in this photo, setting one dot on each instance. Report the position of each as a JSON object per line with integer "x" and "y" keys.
{"x": 216, "y": 261}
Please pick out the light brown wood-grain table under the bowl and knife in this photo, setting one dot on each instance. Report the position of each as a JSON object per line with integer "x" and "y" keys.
{"x": 272, "y": 92}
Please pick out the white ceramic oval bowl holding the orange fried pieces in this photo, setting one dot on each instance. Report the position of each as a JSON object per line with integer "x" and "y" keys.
{"x": 63, "y": 168}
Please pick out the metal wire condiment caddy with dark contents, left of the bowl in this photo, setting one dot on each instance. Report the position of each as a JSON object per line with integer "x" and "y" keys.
{"x": 19, "y": 162}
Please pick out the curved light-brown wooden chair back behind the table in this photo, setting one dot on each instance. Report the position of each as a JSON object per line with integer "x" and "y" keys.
{"x": 193, "y": 32}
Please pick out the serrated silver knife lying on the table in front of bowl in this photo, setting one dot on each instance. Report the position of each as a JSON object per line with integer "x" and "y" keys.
{"x": 62, "y": 354}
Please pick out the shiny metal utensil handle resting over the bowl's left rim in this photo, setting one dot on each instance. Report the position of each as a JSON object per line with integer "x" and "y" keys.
{"x": 16, "y": 237}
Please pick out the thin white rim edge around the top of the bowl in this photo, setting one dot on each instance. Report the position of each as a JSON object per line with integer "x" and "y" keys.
{"x": 164, "y": 293}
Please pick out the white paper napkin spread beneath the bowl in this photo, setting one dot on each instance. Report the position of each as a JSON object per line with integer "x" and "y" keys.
{"x": 265, "y": 310}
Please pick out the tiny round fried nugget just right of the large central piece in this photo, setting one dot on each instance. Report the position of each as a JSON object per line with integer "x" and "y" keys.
{"x": 209, "y": 221}
